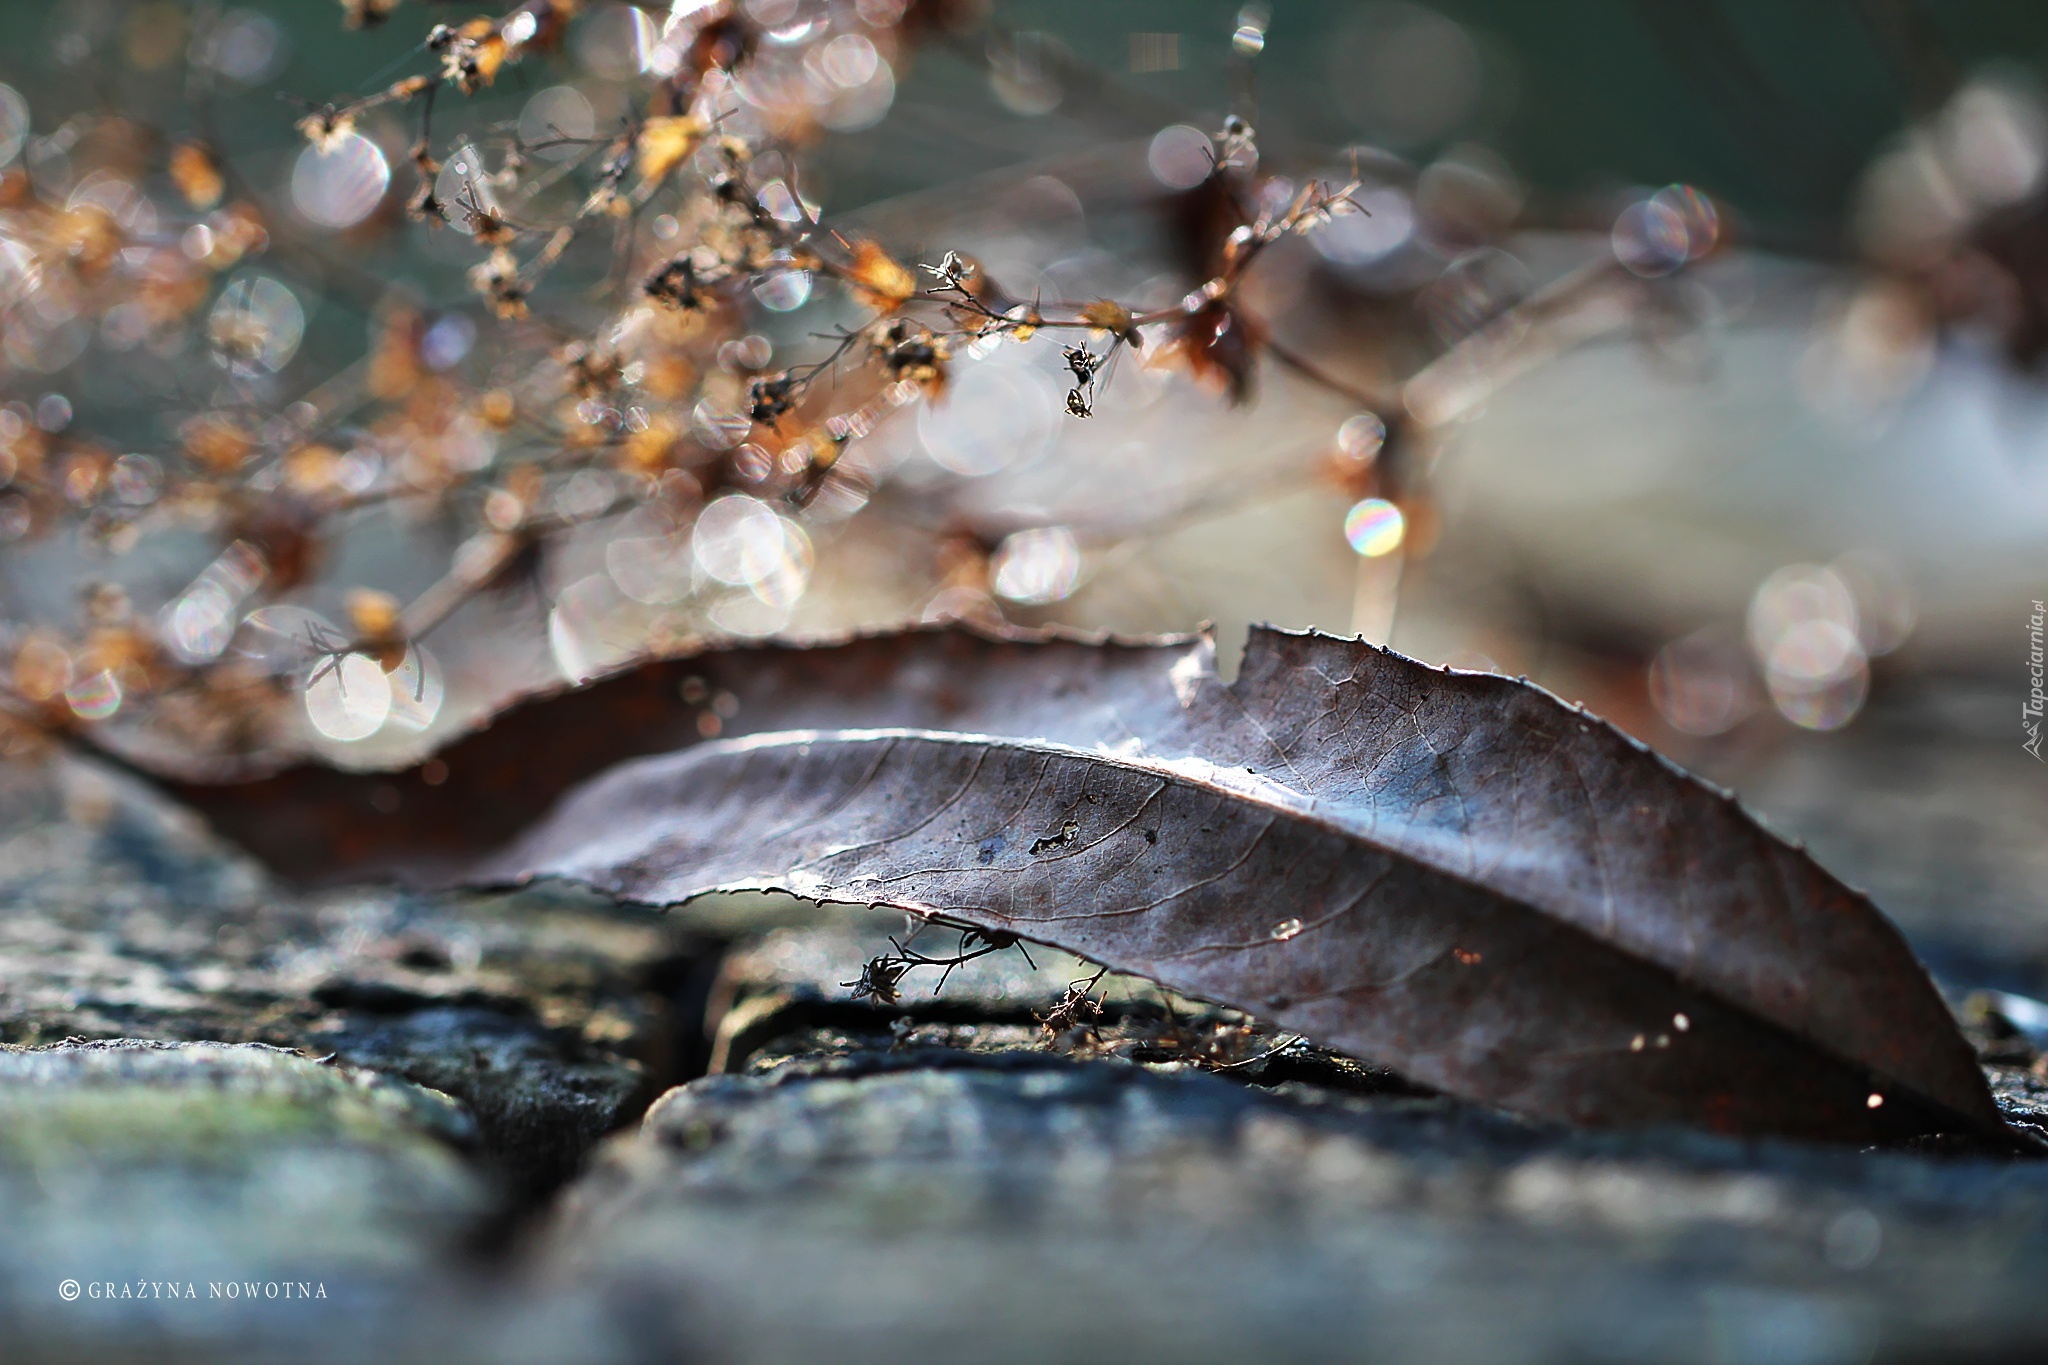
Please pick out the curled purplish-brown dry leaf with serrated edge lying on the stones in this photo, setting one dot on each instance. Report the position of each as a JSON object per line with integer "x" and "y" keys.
{"x": 1453, "y": 875}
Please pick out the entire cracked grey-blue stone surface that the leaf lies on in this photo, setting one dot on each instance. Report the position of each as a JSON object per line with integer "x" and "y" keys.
{"x": 382, "y": 1096}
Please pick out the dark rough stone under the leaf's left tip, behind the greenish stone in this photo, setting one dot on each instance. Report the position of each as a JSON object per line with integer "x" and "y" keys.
{"x": 550, "y": 1018}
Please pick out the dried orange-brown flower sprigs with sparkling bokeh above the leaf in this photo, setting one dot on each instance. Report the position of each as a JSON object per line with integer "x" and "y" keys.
{"x": 605, "y": 371}
